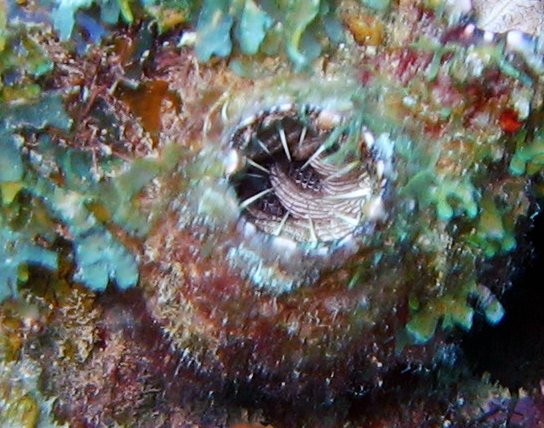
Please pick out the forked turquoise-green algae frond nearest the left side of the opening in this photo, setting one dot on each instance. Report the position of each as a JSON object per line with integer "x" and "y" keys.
{"x": 99, "y": 255}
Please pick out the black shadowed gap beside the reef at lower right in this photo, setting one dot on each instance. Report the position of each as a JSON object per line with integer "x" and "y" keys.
{"x": 513, "y": 351}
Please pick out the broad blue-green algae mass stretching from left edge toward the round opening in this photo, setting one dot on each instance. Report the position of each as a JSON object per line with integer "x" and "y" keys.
{"x": 99, "y": 255}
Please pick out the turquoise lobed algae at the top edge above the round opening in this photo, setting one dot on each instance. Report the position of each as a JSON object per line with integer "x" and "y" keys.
{"x": 301, "y": 29}
